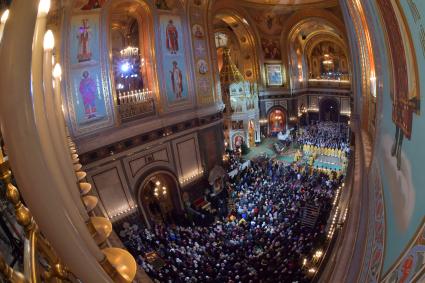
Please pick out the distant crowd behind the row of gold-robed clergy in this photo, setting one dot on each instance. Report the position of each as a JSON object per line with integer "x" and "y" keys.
{"x": 325, "y": 134}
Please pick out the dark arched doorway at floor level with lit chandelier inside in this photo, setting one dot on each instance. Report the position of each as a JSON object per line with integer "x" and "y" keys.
{"x": 159, "y": 198}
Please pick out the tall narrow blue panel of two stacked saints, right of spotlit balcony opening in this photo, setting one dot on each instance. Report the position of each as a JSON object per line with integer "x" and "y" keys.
{"x": 173, "y": 58}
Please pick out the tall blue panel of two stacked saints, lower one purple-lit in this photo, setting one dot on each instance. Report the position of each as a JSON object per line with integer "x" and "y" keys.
{"x": 88, "y": 100}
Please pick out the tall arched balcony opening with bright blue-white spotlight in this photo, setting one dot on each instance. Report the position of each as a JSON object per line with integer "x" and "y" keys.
{"x": 131, "y": 59}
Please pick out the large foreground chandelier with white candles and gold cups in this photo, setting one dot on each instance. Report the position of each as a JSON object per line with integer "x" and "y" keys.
{"x": 48, "y": 153}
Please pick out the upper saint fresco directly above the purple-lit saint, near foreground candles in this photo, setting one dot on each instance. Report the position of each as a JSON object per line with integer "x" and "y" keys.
{"x": 84, "y": 39}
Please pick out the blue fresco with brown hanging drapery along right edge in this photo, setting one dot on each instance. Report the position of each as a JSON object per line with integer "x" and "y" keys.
{"x": 401, "y": 136}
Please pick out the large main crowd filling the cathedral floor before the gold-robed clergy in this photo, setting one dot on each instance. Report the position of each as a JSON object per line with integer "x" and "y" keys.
{"x": 261, "y": 239}
